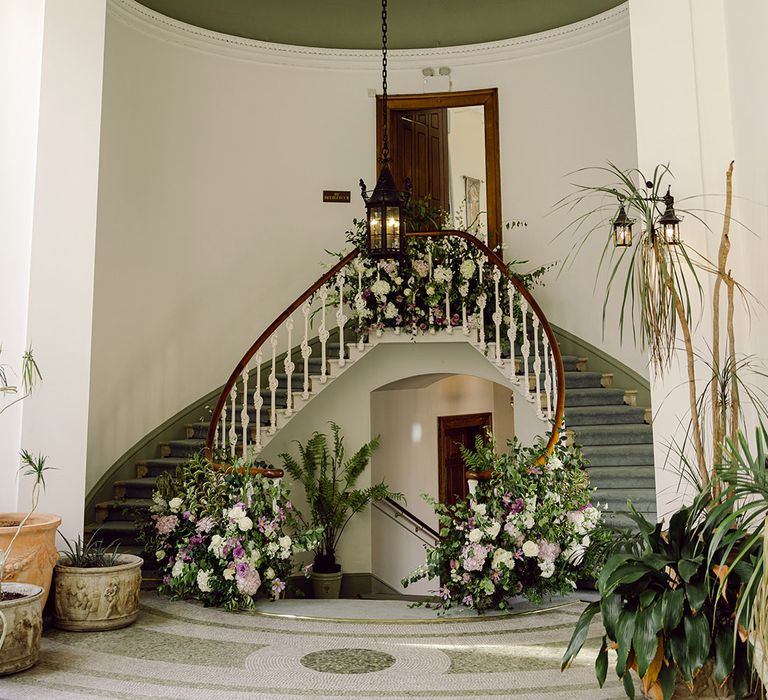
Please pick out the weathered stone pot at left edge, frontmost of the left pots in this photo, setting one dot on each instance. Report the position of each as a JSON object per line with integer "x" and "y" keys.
{"x": 24, "y": 617}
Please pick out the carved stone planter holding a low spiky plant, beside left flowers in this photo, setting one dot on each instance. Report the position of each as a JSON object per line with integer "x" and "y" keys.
{"x": 99, "y": 598}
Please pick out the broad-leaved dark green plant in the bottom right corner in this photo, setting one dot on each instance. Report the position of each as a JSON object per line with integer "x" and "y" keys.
{"x": 664, "y": 607}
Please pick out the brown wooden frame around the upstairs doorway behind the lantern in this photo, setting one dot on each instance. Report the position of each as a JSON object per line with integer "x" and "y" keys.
{"x": 488, "y": 98}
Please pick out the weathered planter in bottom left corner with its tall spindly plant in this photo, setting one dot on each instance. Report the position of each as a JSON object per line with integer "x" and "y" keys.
{"x": 21, "y": 604}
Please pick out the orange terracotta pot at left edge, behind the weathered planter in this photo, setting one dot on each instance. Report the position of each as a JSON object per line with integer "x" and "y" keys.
{"x": 34, "y": 553}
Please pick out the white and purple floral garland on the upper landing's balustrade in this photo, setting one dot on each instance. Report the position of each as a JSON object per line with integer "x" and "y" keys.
{"x": 444, "y": 283}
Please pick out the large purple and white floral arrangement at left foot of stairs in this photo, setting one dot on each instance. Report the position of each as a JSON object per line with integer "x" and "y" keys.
{"x": 223, "y": 537}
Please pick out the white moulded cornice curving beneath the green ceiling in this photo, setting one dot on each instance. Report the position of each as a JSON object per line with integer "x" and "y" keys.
{"x": 164, "y": 28}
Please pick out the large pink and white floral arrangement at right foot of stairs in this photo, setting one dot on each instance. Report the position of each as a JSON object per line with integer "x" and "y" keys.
{"x": 530, "y": 530}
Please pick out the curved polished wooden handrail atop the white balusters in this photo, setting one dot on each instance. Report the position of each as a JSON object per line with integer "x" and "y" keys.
{"x": 492, "y": 257}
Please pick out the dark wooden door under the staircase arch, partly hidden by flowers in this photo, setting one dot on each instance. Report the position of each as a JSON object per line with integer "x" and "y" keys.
{"x": 452, "y": 432}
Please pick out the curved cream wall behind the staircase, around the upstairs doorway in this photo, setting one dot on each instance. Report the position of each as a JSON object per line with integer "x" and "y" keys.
{"x": 214, "y": 155}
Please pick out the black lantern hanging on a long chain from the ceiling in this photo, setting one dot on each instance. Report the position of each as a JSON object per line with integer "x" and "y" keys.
{"x": 385, "y": 208}
